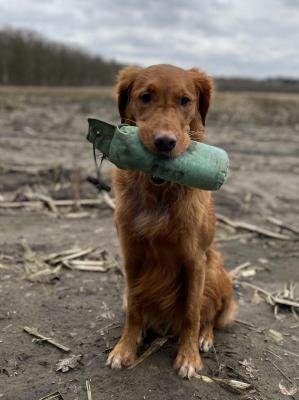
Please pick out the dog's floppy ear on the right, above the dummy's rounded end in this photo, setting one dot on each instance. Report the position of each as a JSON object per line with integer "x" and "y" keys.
{"x": 205, "y": 86}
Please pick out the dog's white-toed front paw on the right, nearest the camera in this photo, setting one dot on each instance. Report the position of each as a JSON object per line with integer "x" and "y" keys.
{"x": 188, "y": 363}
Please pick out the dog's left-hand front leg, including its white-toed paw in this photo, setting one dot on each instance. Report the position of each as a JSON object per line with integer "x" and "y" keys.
{"x": 124, "y": 353}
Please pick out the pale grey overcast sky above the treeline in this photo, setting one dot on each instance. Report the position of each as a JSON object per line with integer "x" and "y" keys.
{"x": 225, "y": 37}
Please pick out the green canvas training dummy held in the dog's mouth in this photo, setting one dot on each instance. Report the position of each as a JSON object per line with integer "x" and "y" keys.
{"x": 201, "y": 166}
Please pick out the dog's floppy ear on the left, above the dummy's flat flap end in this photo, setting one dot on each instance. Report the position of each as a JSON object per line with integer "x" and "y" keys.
{"x": 124, "y": 83}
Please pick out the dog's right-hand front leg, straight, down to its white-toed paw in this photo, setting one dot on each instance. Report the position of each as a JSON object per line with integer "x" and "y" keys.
{"x": 188, "y": 360}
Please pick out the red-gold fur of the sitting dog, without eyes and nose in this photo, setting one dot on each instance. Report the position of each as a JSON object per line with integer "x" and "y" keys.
{"x": 175, "y": 278}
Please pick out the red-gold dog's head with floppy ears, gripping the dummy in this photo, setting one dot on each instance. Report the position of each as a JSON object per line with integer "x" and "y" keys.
{"x": 167, "y": 103}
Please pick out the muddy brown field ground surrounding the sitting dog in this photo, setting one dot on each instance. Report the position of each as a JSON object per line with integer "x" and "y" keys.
{"x": 43, "y": 152}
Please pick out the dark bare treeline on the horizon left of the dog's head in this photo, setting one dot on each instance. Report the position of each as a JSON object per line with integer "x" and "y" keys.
{"x": 28, "y": 59}
